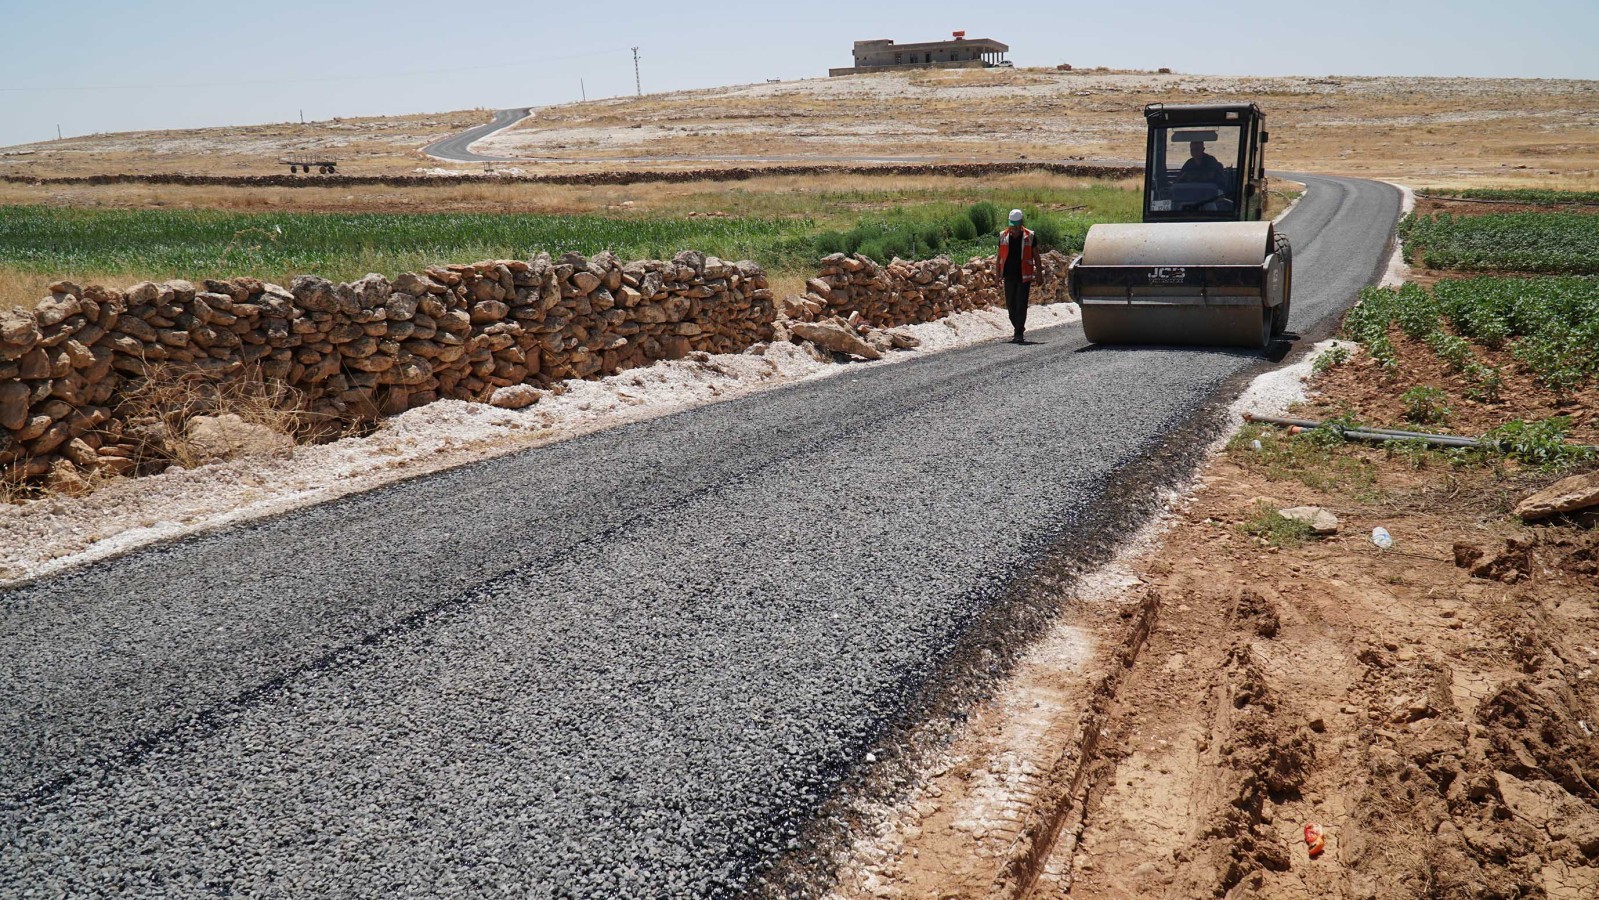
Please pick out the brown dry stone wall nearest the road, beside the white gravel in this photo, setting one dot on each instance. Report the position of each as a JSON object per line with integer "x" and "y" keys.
{"x": 353, "y": 352}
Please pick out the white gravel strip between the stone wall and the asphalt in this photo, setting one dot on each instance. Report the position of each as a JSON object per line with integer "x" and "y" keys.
{"x": 52, "y": 535}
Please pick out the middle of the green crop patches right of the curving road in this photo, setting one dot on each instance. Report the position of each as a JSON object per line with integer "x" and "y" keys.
{"x": 1553, "y": 244}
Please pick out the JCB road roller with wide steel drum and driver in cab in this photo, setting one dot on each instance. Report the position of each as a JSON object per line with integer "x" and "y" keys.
{"x": 1203, "y": 269}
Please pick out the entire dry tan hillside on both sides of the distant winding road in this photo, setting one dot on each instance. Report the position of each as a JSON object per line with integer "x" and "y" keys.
{"x": 1421, "y": 130}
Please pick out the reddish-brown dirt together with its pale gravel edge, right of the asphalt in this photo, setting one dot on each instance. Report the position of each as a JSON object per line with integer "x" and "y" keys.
{"x": 1430, "y": 707}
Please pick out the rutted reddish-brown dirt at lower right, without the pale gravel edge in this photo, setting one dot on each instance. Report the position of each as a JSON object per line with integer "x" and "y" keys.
{"x": 1437, "y": 720}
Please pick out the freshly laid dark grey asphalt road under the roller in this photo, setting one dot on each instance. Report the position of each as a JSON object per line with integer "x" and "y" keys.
{"x": 624, "y": 666}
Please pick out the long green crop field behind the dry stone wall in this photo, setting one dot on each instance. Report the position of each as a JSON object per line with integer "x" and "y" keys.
{"x": 786, "y": 233}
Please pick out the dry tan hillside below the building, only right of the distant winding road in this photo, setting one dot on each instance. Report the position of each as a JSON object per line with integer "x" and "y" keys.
{"x": 1390, "y": 127}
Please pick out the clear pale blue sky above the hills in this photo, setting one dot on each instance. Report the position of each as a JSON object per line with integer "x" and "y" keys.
{"x": 127, "y": 65}
